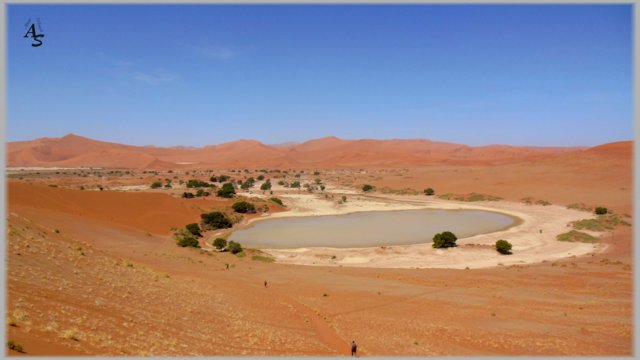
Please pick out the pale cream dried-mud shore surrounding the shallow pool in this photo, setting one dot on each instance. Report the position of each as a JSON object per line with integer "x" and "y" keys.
{"x": 529, "y": 244}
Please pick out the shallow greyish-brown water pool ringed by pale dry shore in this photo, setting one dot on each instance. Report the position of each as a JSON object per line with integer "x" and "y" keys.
{"x": 365, "y": 229}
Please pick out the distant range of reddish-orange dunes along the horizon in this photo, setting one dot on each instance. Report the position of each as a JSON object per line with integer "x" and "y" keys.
{"x": 73, "y": 150}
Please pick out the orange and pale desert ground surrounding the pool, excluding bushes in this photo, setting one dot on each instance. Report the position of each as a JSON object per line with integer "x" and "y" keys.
{"x": 98, "y": 272}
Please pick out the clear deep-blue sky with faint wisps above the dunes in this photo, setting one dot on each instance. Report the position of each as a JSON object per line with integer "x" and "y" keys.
{"x": 207, "y": 74}
